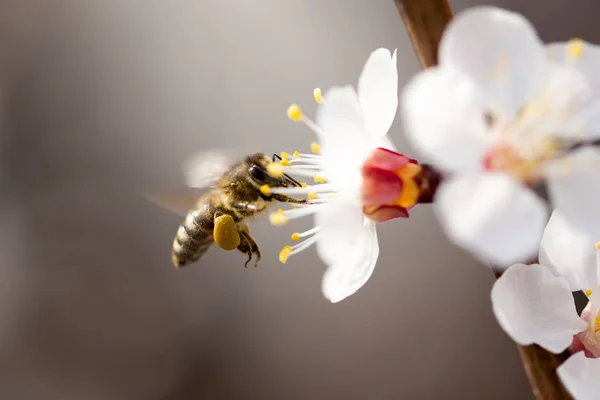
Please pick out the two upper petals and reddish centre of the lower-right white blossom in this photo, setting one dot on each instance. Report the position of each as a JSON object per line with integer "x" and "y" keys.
{"x": 534, "y": 303}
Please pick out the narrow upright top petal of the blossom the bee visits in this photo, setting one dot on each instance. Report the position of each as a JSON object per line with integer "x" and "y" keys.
{"x": 378, "y": 91}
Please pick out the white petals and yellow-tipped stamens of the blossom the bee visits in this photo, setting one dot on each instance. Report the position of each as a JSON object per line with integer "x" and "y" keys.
{"x": 350, "y": 126}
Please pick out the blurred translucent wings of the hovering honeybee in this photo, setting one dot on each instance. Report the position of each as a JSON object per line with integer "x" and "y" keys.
{"x": 201, "y": 172}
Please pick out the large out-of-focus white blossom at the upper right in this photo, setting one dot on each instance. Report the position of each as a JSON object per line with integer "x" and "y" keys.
{"x": 495, "y": 112}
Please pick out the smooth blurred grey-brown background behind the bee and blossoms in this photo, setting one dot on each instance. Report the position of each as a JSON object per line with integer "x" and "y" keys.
{"x": 101, "y": 100}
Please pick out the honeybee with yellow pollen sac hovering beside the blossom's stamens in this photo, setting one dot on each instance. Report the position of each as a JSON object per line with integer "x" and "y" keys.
{"x": 233, "y": 193}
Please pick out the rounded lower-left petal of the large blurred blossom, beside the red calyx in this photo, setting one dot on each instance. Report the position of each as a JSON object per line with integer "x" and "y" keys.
{"x": 492, "y": 216}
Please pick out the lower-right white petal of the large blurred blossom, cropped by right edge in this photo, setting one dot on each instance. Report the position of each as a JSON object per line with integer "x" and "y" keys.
{"x": 574, "y": 187}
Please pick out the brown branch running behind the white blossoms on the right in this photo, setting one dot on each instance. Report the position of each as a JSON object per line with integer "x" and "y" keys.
{"x": 425, "y": 21}
